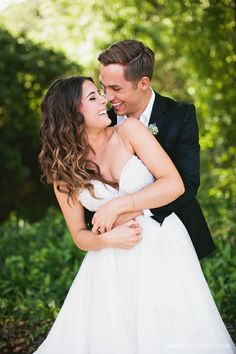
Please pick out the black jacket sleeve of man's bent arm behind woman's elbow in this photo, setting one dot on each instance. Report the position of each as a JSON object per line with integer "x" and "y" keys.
{"x": 186, "y": 158}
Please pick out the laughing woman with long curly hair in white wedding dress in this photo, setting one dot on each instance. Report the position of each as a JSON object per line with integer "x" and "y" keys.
{"x": 140, "y": 288}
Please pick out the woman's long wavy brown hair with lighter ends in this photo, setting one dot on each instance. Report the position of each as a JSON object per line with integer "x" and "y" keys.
{"x": 65, "y": 146}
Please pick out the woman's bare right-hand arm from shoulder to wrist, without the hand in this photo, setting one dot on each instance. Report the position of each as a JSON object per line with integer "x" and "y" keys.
{"x": 168, "y": 185}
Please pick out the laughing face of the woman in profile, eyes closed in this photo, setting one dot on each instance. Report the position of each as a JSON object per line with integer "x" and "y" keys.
{"x": 93, "y": 107}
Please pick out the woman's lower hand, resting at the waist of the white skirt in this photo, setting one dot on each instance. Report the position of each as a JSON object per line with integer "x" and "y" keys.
{"x": 124, "y": 236}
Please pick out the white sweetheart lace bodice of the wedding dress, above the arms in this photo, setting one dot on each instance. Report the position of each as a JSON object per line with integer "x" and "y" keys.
{"x": 134, "y": 176}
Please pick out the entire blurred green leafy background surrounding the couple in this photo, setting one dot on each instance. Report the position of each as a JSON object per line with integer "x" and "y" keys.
{"x": 40, "y": 40}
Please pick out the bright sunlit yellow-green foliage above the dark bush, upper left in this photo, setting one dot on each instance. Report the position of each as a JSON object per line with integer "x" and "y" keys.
{"x": 70, "y": 26}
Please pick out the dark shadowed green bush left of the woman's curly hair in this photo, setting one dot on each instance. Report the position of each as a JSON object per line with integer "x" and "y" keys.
{"x": 26, "y": 70}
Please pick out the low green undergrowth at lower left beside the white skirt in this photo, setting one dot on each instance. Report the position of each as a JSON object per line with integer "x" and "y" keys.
{"x": 38, "y": 263}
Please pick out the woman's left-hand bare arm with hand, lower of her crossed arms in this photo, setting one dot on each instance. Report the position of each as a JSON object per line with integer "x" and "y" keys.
{"x": 124, "y": 236}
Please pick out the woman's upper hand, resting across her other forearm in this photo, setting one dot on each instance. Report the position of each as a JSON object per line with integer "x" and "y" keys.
{"x": 104, "y": 219}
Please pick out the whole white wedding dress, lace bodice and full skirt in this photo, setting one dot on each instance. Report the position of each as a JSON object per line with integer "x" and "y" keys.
{"x": 152, "y": 299}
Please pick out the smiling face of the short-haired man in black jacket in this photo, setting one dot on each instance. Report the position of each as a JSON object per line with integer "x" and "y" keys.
{"x": 124, "y": 95}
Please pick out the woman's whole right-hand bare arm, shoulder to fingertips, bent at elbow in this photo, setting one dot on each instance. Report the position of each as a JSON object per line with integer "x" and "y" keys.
{"x": 167, "y": 187}
